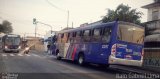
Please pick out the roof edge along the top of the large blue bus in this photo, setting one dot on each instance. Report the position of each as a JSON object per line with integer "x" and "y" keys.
{"x": 90, "y": 26}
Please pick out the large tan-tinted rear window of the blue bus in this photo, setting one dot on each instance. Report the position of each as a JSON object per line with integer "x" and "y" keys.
{"x": 130, "y": 33}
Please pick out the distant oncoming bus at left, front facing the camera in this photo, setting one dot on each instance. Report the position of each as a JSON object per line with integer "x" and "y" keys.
{"x": 11, "y": 43}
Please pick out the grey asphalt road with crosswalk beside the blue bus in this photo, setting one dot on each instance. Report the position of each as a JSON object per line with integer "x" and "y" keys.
{"x": 42, "y": 66}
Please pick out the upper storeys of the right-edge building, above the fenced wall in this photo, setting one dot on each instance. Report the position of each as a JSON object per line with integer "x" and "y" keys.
{"x": 153, "y": 25}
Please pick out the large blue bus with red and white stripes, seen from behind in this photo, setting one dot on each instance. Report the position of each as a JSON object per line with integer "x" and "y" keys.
{"x": 114, "y": 42}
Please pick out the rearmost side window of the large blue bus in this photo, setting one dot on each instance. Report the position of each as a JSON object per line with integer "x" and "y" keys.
{"x": 106, "y": 35}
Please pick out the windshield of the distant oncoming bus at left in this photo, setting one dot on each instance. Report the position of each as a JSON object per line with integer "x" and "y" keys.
{"x": 12, "y": 41}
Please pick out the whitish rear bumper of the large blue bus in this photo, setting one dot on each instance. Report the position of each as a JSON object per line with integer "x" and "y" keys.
{"x": 113, "y": 60}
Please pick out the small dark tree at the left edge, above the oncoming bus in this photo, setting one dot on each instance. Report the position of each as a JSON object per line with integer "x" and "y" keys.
{"x": 6, "y": 27}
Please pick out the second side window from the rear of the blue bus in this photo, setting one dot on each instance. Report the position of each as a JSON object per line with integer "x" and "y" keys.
{"x": 96, "y": 35}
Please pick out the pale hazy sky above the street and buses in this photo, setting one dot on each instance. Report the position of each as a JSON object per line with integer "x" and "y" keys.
{"x": 21, "y": 13}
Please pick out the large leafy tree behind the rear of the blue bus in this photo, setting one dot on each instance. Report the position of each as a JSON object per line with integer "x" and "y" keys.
{"x": 123, "y": 13}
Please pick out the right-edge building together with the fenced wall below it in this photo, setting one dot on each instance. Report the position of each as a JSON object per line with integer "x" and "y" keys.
{"x": 151, "y": 59}
